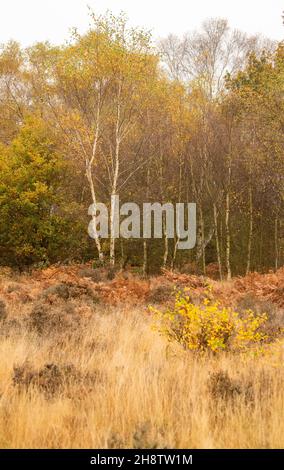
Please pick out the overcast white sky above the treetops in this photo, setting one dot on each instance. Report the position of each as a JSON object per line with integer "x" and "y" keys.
{"x": 29, "y": 21}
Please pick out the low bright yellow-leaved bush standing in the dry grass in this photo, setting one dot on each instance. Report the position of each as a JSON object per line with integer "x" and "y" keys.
{"x": 209, "y": 326}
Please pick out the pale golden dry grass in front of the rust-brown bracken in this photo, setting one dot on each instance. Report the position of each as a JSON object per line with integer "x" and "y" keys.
{"x": 109, "y": 380}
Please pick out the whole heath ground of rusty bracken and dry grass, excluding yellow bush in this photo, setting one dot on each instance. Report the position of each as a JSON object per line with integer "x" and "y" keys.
{"x": 81, "y": 365}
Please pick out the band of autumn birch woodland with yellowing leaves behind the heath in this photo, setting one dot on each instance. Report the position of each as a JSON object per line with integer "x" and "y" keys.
{"x": 192, "y": 119}
